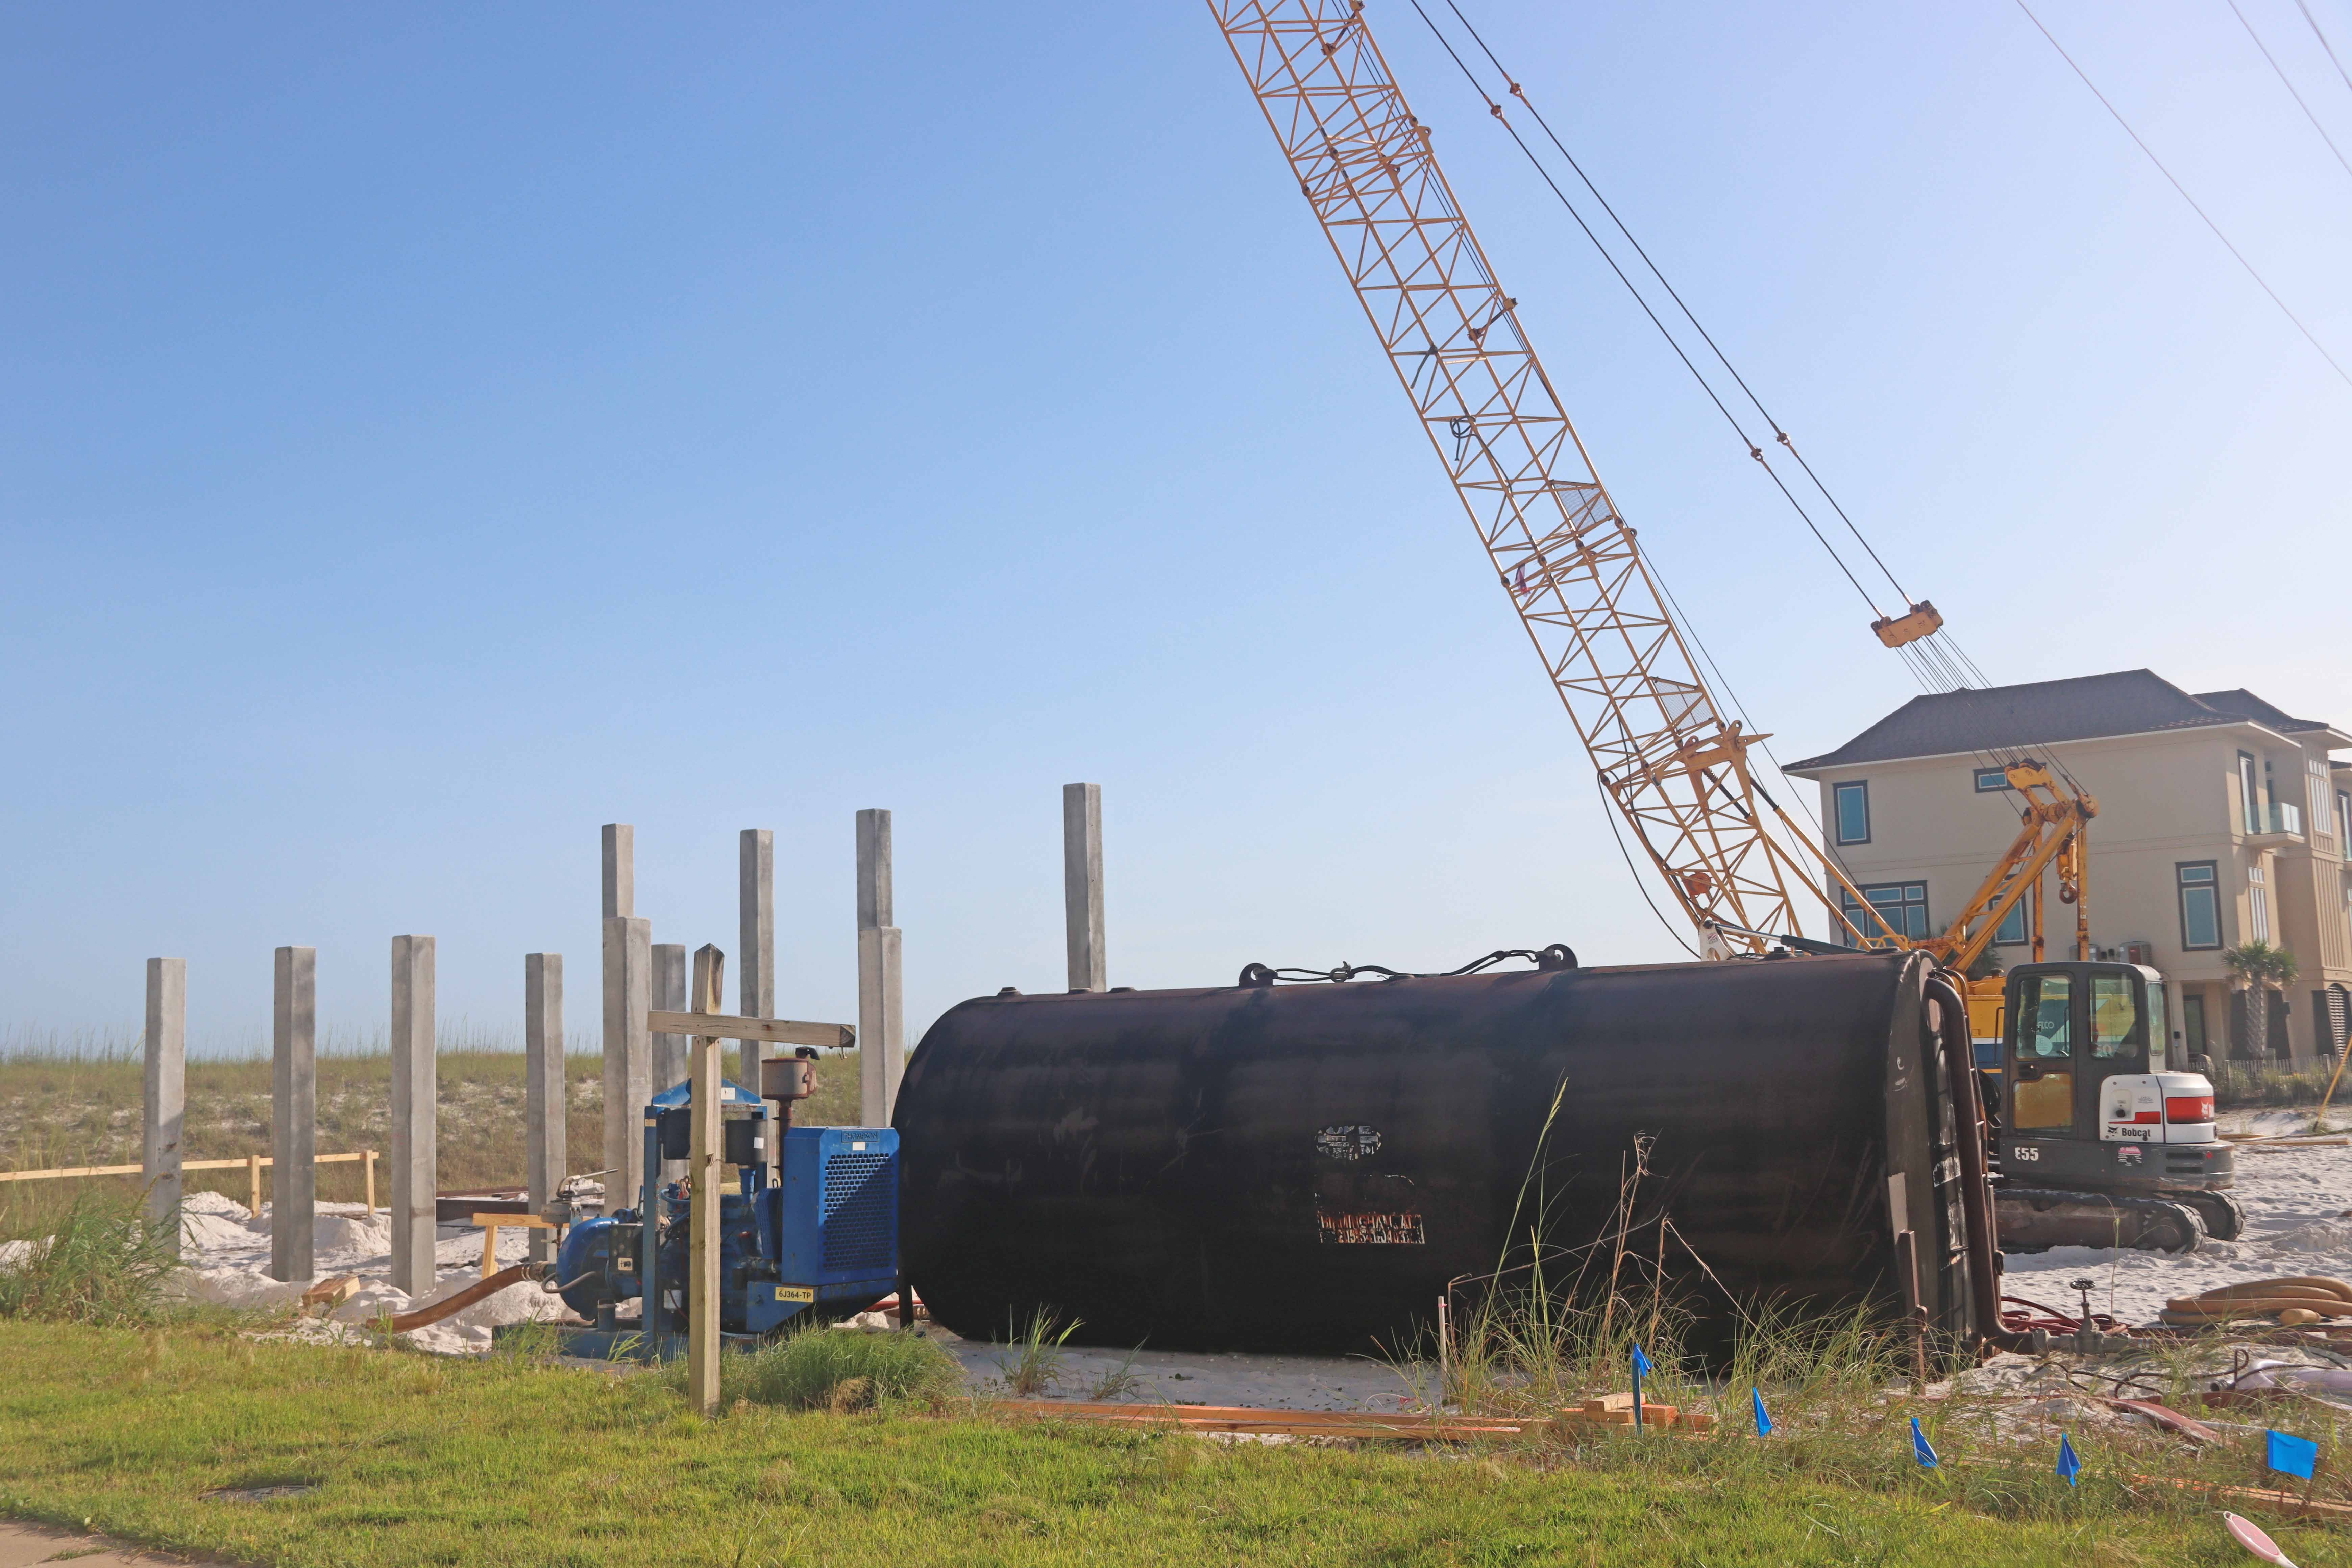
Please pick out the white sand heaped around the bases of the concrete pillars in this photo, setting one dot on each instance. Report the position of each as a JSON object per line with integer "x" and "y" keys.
{"x": 229, "y": 1261}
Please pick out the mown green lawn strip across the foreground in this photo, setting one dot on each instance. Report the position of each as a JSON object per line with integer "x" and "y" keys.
{"x": 509, "y": 1461}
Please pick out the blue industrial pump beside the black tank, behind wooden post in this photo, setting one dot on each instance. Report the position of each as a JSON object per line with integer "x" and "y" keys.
{"x": 808, "y": 1231}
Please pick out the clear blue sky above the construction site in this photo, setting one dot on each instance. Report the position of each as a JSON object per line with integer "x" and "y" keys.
{"x": 429, "y": 434}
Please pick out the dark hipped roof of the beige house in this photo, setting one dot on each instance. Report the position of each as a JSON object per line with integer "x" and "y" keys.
{"x": 2040, "y": 713}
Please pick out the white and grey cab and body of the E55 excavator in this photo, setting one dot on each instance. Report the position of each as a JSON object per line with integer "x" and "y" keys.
{"x": 2090, "y": 1108}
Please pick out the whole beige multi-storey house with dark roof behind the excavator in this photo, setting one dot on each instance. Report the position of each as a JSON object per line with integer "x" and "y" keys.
{"x": 2219, "y": 819}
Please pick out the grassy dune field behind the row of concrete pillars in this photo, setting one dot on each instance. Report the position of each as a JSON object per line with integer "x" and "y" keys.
{"x": 76, "y": 1104}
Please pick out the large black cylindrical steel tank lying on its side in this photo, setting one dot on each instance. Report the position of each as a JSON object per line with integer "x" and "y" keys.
{"x": 1309, "y": 1167}
